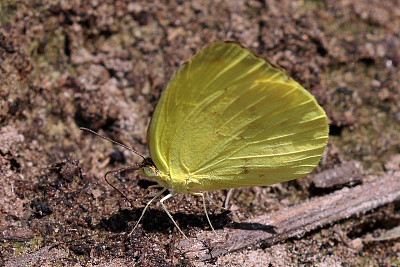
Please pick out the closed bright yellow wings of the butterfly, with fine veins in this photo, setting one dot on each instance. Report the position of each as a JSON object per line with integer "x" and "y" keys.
{"x": 231, "y": 119}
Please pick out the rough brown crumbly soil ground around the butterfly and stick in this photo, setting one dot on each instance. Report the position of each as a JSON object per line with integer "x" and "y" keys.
{"x": 103, "y": 65}
